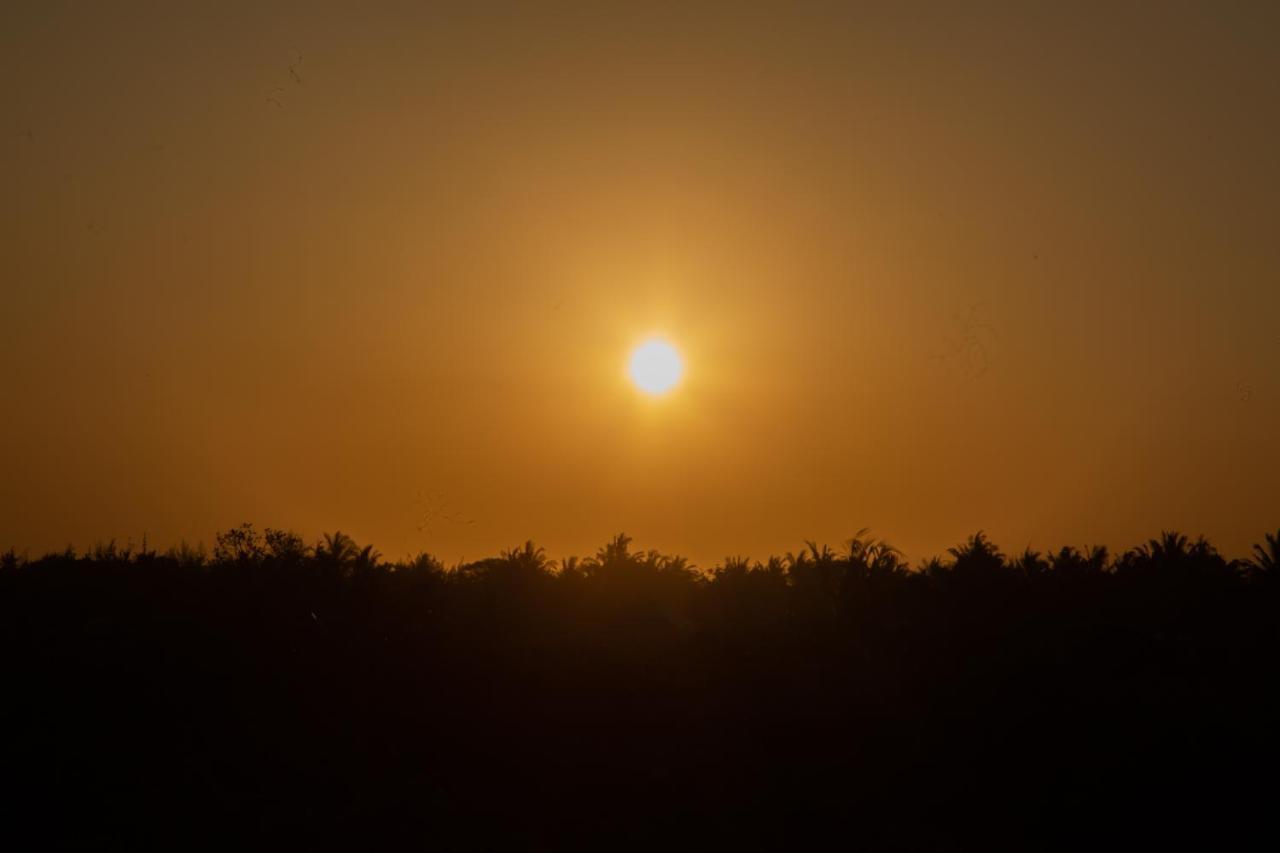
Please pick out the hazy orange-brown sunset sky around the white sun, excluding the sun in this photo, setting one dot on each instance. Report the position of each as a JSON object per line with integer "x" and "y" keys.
{"x": 378, "y": 267}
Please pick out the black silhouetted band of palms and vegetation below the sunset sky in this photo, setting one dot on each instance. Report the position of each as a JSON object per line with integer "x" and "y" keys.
{"x": 278, "y": 694}
